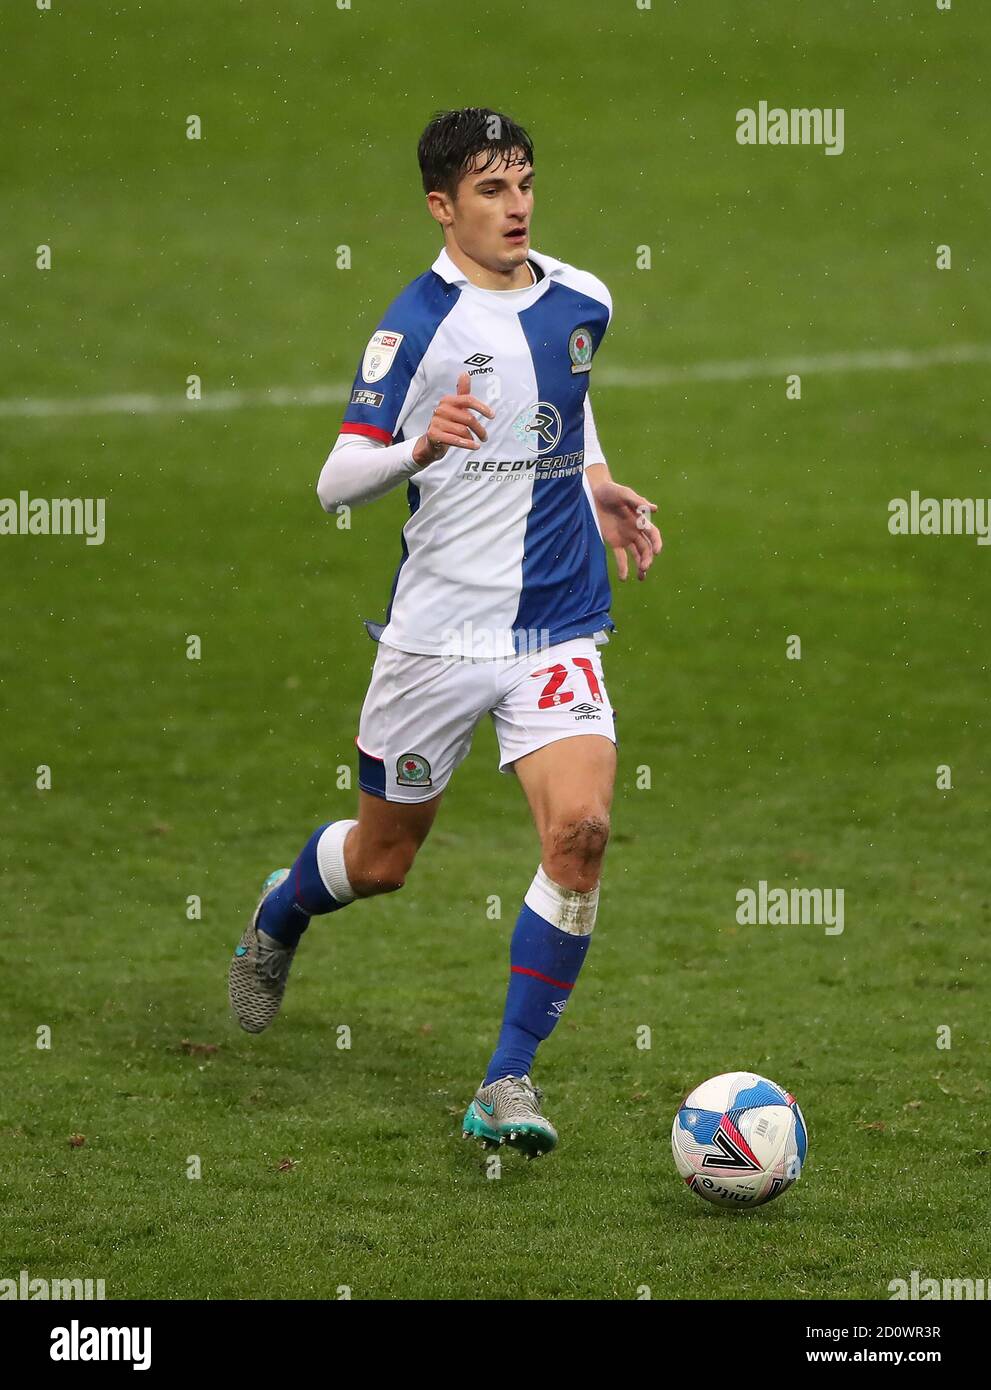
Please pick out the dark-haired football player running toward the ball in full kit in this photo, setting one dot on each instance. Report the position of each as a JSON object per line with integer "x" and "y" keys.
{"x": 501, "y": 598}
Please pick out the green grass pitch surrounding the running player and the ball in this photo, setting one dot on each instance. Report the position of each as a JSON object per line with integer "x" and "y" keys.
{"x": 174, "y": 778}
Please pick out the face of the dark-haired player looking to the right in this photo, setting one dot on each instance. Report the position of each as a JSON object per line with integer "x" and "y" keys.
{"x": 490, "y": 219}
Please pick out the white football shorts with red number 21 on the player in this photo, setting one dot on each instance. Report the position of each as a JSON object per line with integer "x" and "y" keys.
{"x": 420, "y": 712}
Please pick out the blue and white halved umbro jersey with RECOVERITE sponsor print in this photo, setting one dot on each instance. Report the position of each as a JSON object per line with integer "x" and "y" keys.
{"x": 502, "y": 553}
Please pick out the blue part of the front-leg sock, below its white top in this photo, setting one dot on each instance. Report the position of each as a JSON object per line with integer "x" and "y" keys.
{"x": 544, "y": 968}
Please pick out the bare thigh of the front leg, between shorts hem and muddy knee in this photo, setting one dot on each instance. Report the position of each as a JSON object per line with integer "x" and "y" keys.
{"x": 569, "y": 785}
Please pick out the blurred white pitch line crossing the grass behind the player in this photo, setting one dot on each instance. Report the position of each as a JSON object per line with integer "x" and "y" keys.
{"x": 338, "y": 394}
